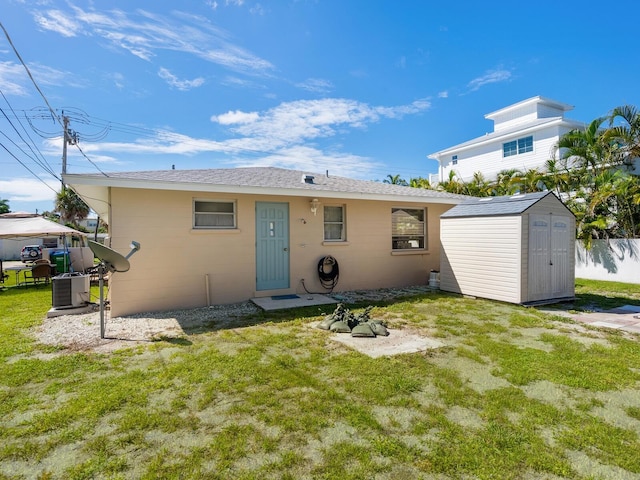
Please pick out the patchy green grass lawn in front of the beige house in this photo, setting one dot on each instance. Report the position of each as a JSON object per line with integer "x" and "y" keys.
{"x": 514, "y": 393}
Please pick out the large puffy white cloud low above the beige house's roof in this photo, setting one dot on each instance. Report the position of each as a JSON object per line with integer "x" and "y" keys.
{"x": 287, "y": 135}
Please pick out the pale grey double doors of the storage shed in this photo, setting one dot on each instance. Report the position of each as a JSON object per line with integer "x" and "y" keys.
{"x": 549, "y": 262}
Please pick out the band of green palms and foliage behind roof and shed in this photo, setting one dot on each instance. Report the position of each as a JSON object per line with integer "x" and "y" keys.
{"x": 589, "y": 176}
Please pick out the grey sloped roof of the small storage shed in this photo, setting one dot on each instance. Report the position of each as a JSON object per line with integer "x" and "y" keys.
{"x": 493, "y": 206}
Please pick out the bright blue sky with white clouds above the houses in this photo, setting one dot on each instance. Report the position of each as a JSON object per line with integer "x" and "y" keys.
{"x": 360, "y": 88}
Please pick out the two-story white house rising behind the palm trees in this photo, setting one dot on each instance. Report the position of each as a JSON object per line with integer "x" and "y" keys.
{"x": 524, "y": 137}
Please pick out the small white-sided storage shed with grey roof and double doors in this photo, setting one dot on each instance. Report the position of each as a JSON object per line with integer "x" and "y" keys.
{"x": 517, "y": 249}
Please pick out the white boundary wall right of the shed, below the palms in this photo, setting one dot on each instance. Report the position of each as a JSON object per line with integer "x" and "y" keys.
{"x": 615, "y": 260}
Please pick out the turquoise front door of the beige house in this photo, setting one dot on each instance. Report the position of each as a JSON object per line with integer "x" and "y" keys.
{"x": 272, "y": 246}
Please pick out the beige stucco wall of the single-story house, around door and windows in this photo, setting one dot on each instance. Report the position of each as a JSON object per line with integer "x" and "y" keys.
{"x": 170, "y": 269}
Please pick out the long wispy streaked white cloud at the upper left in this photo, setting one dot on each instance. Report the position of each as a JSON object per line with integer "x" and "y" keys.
{"x": 142, "y": 34}
